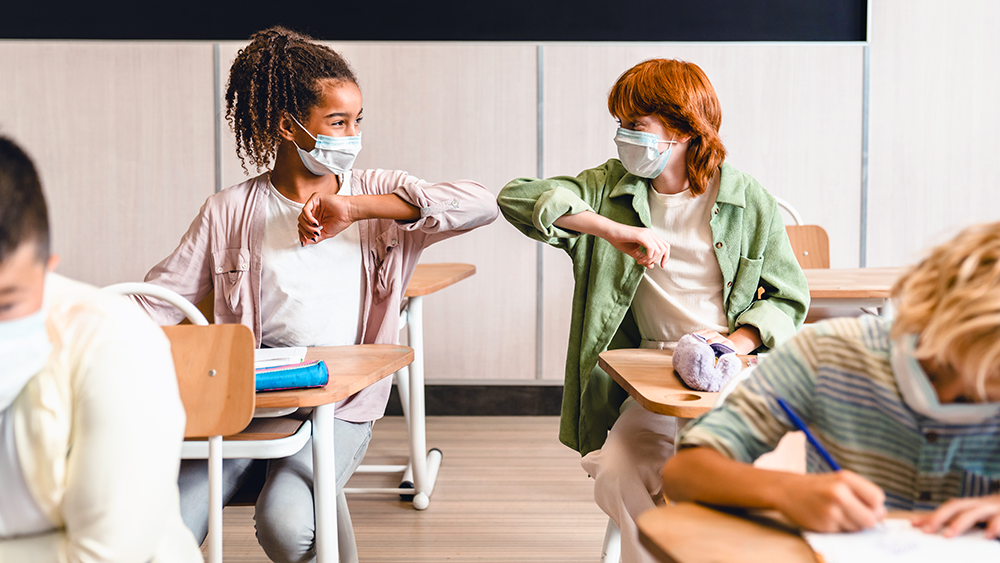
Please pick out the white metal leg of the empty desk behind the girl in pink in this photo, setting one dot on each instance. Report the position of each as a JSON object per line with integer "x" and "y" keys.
{"x": 425, "y": 464}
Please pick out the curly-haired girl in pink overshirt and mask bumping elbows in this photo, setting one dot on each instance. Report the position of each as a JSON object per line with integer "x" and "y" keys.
{"x": 311, "y": 252}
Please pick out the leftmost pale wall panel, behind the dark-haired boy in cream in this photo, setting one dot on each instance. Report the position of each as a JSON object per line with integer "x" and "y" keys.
{"x": 121, "y": 133}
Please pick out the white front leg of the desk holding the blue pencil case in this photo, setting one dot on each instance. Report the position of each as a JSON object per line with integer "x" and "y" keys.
{"x": 325, "y": 485}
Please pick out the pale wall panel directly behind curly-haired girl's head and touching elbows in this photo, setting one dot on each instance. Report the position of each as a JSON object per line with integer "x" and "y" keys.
{"x": 449, "y": 111}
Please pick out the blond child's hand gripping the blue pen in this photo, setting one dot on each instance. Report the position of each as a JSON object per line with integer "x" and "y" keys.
{"x": 832, "y": 502}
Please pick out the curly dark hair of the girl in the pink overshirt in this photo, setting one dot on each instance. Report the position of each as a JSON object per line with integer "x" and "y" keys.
{"x": 278, "y": 71}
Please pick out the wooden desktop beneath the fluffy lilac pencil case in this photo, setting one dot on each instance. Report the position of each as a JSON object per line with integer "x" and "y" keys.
{"x": 649, "y": 377}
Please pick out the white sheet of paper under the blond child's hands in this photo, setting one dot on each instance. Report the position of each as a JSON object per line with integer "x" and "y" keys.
{"x": 896, "y": 540}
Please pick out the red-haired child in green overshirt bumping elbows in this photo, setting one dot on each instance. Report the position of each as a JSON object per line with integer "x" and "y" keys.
{"x": 672, "y": 248}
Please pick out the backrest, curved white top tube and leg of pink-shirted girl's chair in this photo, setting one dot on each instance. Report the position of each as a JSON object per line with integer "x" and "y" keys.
{"x": 215, "y": 376}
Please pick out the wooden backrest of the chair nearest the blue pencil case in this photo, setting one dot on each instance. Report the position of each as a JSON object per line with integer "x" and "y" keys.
{"x": 214, "y": 365}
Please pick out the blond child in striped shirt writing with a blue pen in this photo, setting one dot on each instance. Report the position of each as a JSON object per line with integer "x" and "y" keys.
{"x": 909, "y": 411}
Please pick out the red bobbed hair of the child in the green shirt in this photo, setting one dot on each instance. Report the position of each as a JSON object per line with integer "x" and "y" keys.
{"x": 681, "y": 96}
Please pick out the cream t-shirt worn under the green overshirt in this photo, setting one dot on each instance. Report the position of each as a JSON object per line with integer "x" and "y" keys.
{"x": 686, "y": 295}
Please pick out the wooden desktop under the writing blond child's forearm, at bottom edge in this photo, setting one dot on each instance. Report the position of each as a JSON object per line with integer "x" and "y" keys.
{"x": 691, "y": 533}
